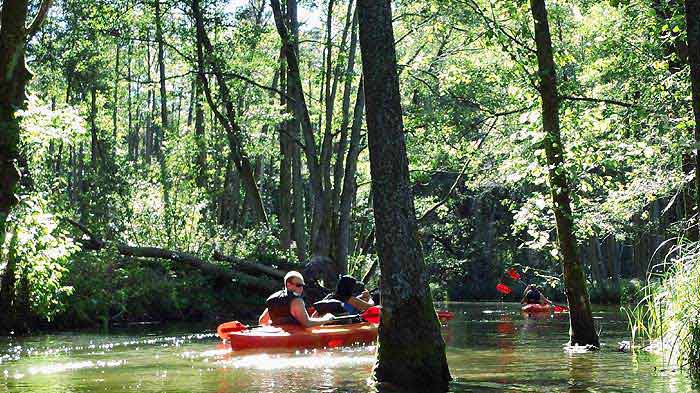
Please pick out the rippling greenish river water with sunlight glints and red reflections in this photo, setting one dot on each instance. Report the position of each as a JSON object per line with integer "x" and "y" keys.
{"x": 492, "y": 347}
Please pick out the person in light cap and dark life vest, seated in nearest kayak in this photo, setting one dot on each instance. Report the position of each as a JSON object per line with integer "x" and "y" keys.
{"x": 286, "y": 306}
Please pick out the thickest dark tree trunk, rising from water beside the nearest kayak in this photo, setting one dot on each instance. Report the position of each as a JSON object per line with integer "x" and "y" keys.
{"x": 411, "y": 352}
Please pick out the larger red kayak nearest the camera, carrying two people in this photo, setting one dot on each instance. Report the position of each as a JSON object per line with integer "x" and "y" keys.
{"x": 295, "y": 336}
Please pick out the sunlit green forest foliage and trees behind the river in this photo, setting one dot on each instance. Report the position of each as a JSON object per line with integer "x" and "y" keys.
{"x": 123, "y": 135}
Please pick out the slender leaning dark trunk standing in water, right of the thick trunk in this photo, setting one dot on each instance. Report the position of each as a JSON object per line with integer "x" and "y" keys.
{"x": 582, "y": 329}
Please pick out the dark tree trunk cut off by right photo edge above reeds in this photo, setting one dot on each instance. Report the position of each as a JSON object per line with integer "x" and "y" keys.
{"x": 692, "y": 17}
